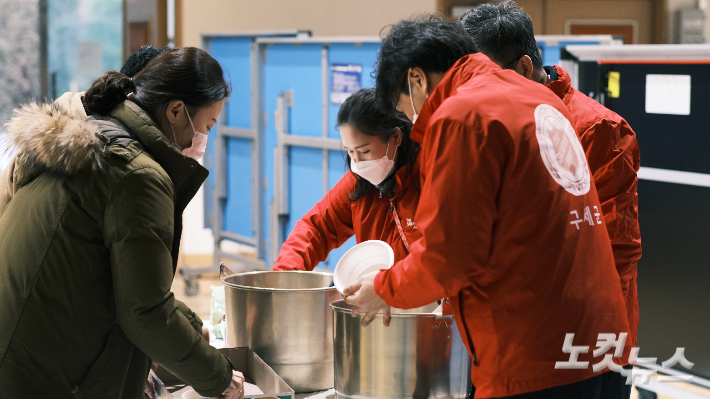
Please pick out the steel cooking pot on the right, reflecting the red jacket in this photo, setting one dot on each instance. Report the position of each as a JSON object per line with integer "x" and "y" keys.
{"x": 420, "y": 355}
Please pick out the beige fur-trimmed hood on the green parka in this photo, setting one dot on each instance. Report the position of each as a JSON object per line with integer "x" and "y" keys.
{"x": 47, "y": 137}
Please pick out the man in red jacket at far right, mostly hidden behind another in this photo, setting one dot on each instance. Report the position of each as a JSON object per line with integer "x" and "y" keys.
{"x": 504, "y": 33}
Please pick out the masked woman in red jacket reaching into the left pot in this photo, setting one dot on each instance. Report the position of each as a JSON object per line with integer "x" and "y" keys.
{"x": 375, "y": 200}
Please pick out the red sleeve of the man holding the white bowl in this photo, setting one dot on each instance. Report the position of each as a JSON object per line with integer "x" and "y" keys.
{"x": 463, "y": 169}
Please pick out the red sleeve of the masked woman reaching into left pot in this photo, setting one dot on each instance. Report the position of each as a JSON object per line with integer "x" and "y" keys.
{"x": 325, "y": 227}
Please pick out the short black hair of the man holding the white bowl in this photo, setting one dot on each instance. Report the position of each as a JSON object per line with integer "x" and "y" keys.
{"x": 428, "y": 42}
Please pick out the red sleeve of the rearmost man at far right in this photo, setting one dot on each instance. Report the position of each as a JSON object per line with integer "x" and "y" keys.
{"x": 615, "y": 162}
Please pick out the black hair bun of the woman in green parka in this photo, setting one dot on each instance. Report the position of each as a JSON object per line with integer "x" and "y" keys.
{"x": 107, "y": 91}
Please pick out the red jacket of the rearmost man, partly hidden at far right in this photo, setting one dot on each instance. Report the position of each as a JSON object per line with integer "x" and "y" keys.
{"x": 614, "y": 159}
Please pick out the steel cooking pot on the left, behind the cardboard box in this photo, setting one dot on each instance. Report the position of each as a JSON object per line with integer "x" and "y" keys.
{"x": 284, "y": 317}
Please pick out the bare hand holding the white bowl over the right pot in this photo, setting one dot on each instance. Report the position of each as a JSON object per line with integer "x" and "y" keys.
{"x": 362, "y": 295}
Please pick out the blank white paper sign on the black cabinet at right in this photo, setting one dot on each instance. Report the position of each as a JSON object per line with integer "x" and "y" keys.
{"x": 668, "y": 94}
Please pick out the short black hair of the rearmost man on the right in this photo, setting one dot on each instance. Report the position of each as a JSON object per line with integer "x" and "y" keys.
{"x": 503, "y": 32}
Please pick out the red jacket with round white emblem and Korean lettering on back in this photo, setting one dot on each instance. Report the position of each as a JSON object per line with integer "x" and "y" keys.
{"x": 512, "y": 231}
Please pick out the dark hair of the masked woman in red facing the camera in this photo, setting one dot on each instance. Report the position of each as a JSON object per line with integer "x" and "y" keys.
{"x": 362, "y": 113}
